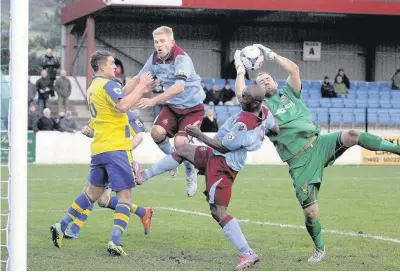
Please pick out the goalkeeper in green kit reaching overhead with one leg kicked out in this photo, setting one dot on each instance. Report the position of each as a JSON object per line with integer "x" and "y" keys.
{"x": 299, "y": 142}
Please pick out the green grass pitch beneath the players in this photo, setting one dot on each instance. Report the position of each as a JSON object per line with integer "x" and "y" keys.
{"x": 353, "y": 199}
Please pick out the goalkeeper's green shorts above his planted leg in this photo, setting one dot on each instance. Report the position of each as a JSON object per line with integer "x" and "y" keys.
{"x": 308, "y": 169}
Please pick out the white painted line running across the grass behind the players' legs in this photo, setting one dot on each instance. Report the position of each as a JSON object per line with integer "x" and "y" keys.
{"x": 338, "y": 232}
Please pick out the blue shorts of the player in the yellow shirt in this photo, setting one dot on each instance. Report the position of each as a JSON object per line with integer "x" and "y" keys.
{"x": 113, "y": 169}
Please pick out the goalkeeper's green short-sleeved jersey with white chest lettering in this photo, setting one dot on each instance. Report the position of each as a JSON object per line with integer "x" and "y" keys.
{"x": 294, "y": 120}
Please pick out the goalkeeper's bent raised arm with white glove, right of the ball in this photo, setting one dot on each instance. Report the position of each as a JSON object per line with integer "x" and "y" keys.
{"x": 294, "y": 72}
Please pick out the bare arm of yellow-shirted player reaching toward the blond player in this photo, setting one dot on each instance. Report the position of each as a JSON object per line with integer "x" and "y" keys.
{"x": 131, "y": 99}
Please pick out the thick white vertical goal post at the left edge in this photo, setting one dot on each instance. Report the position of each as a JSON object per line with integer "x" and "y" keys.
{"x": 18, "y": 114}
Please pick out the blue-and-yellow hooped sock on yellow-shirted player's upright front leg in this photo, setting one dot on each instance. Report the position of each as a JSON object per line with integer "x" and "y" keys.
{"x": 121, "y": 218}
